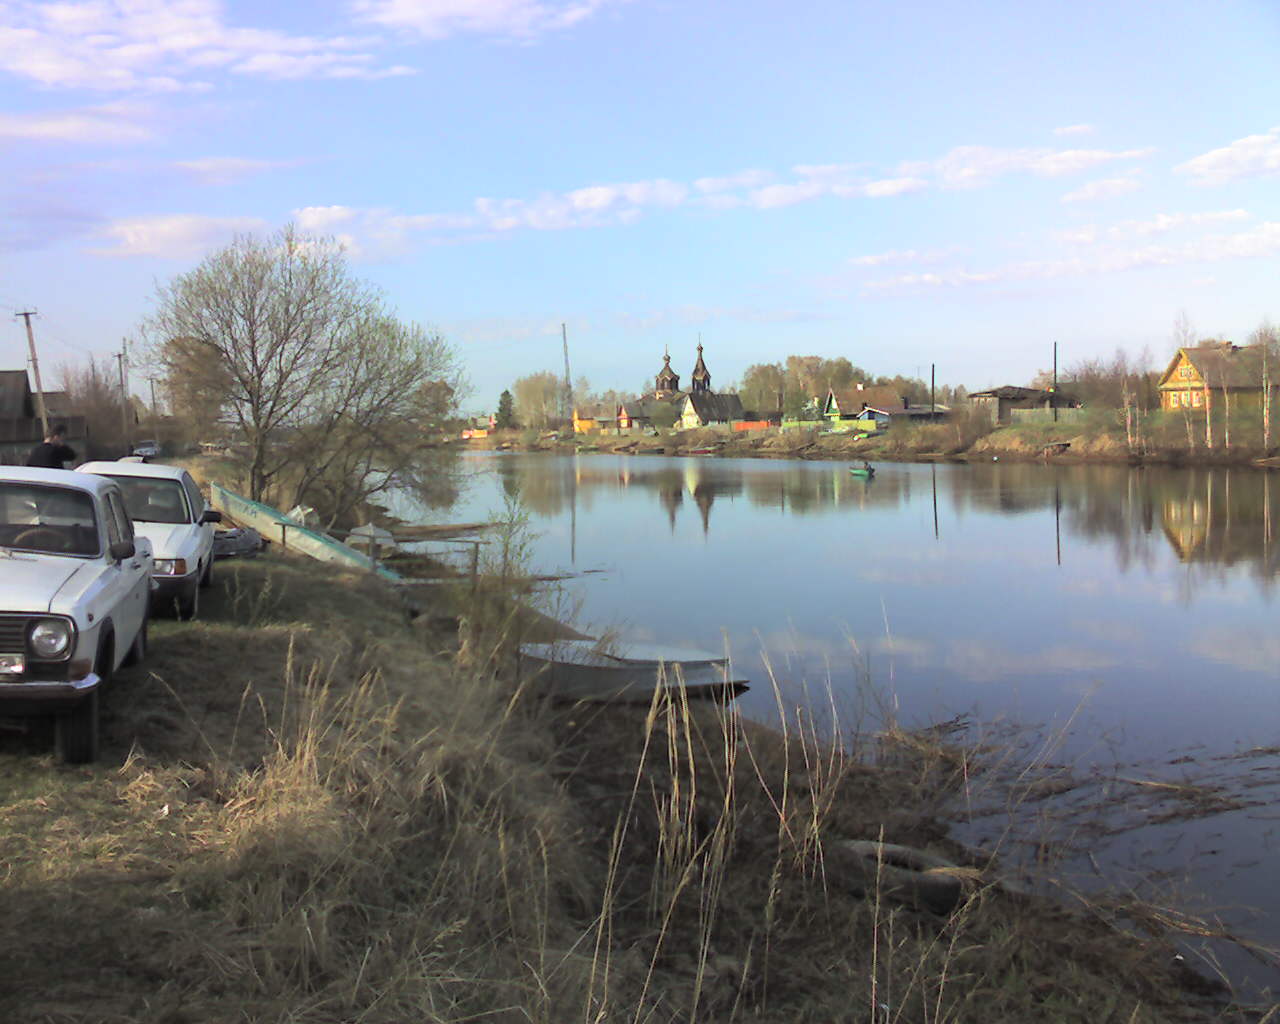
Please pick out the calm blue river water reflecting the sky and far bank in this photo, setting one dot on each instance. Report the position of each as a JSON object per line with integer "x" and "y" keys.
{"x": 1142, "y": 602}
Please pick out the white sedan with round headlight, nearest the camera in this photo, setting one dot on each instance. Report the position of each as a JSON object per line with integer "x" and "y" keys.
{"x": 75, "y": 596}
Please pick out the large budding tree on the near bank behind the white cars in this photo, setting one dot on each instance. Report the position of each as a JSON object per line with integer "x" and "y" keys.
{"x": 310, "y": 365}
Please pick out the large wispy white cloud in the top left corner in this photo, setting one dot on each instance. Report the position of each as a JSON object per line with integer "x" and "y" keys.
{"x": 163, "y": 47}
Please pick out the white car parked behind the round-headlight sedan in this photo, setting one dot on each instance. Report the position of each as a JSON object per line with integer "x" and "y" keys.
{"x": 168, "y": 510}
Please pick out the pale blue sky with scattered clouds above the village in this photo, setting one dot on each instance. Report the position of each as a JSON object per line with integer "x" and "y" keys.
{"x": 898, "y": 184}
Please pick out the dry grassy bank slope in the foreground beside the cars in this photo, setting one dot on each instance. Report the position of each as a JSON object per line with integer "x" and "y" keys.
{"x": 310, "y": 810}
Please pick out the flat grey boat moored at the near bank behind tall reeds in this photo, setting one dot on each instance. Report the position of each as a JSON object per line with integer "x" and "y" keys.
{"x": 586, "y": 670}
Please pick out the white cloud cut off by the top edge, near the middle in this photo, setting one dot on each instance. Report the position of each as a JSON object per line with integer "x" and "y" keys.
{"x": 438, "y": 20}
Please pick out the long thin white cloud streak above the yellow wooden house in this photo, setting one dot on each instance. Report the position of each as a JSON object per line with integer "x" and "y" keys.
{"x": 1258, "y": 243}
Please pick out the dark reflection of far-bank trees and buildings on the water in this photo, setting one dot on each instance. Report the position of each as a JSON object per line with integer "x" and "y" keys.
{"x": 1219, "y": 518}
